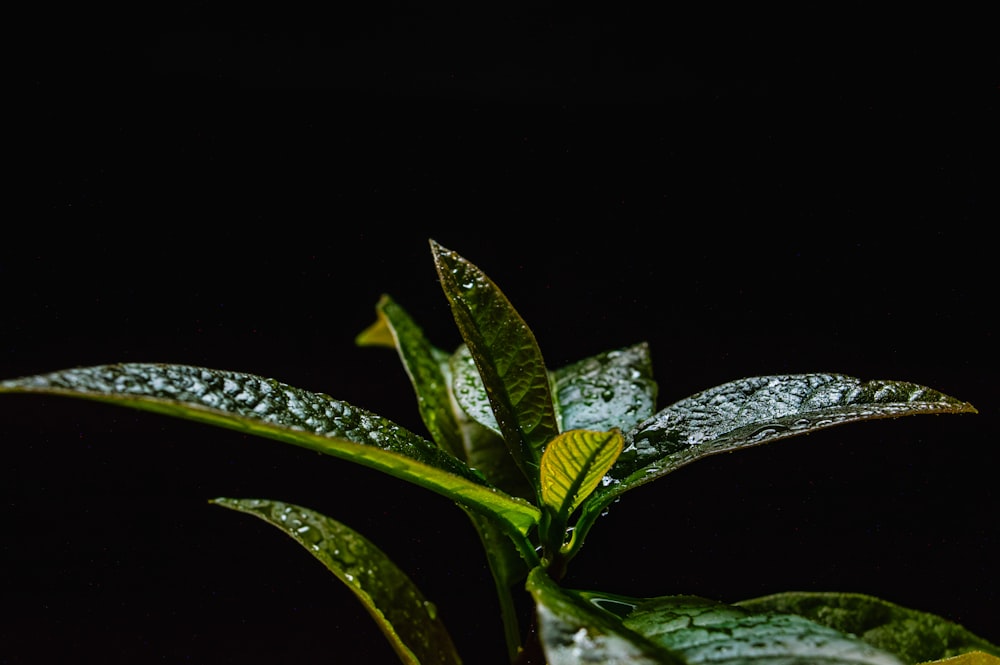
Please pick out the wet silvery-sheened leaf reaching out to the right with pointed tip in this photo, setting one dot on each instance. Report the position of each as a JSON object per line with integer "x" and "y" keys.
{"x": 758, "y": 410}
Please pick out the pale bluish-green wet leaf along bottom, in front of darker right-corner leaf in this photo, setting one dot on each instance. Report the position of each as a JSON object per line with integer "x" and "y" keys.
{"x": 705, "y": 631}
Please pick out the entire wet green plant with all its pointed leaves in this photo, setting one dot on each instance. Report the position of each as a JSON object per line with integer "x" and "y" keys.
{"x": 534, "y": 457}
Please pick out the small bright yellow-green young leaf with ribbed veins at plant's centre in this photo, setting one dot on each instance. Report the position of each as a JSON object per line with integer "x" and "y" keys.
{"x": 573, "y": 464}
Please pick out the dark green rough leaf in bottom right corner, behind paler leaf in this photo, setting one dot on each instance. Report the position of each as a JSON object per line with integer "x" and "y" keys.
{"x": 912, "y": 635}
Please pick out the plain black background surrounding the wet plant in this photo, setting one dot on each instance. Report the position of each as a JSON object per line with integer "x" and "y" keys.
{"x": 237, "y": 191}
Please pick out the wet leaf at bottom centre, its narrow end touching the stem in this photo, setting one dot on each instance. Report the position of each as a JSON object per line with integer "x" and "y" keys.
{"x": 575, "y": 632}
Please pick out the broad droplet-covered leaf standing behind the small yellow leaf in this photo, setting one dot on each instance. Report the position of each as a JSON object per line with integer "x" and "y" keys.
{"x": 612, "y": 389}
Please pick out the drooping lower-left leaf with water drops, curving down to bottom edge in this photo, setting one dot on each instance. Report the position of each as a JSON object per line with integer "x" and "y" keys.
{"x": 408, "y": 620}
